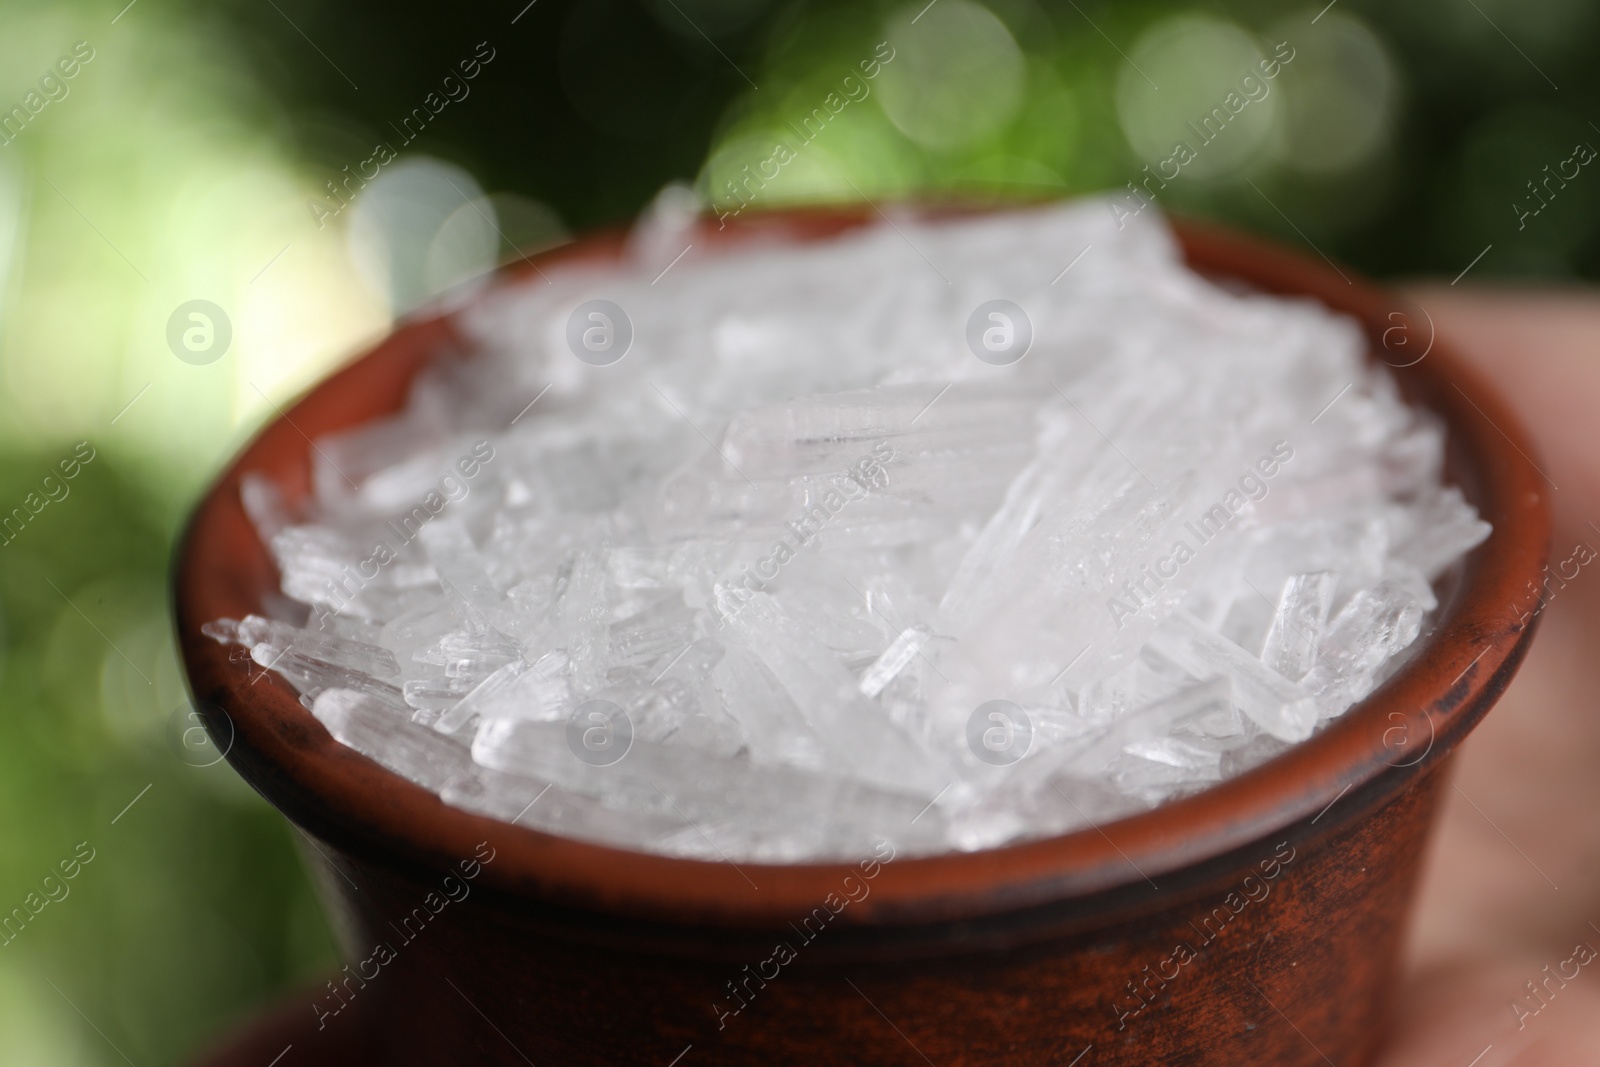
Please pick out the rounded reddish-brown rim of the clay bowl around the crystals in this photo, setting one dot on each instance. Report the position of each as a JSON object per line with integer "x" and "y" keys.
{"x": 1375, "y": 751}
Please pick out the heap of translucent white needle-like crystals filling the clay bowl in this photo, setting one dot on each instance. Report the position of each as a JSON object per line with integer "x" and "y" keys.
{"x": 802, "y": 572}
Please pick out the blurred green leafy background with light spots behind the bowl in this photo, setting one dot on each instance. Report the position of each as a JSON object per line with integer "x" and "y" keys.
{"x": 188, "y": 154}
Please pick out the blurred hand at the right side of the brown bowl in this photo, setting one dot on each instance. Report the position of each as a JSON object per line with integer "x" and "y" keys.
{"x": 1513, "y": 882}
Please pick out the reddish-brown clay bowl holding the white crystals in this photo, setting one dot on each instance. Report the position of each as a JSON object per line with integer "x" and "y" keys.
{"x": 1289, "y": 885}
